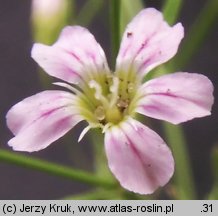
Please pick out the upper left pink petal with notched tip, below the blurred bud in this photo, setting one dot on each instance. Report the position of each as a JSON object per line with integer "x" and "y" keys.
{"x": 74, "y": 57}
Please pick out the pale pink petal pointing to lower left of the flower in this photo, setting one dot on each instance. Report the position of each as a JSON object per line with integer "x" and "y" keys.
{"x": 39, "y": 120}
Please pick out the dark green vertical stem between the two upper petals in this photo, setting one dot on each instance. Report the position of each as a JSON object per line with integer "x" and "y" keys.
{"x": 115, "y": 27}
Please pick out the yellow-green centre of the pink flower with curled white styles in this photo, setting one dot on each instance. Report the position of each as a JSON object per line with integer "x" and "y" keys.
{"x": 107, "y": 101}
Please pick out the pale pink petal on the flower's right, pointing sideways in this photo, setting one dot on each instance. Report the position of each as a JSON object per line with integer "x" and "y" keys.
{"x": 176, "y": 97}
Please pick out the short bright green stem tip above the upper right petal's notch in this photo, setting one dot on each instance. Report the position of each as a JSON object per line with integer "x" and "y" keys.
{"x": 171, "y": 9}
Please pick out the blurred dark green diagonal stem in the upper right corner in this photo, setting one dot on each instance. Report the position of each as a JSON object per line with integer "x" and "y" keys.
{"x": 200, "y": 29}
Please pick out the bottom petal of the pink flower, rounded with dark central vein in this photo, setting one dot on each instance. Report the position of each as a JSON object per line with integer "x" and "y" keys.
{"x": 138, "y": 157}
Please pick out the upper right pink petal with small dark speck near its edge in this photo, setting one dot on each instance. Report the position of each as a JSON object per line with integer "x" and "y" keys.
{"x": 148, "y": 41}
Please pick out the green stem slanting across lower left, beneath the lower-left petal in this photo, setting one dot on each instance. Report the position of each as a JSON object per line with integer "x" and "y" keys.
{"x": 53, "y": 169}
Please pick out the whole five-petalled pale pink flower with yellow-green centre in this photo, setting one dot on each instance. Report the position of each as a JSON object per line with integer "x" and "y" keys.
{"x": 137, "y": 156}
